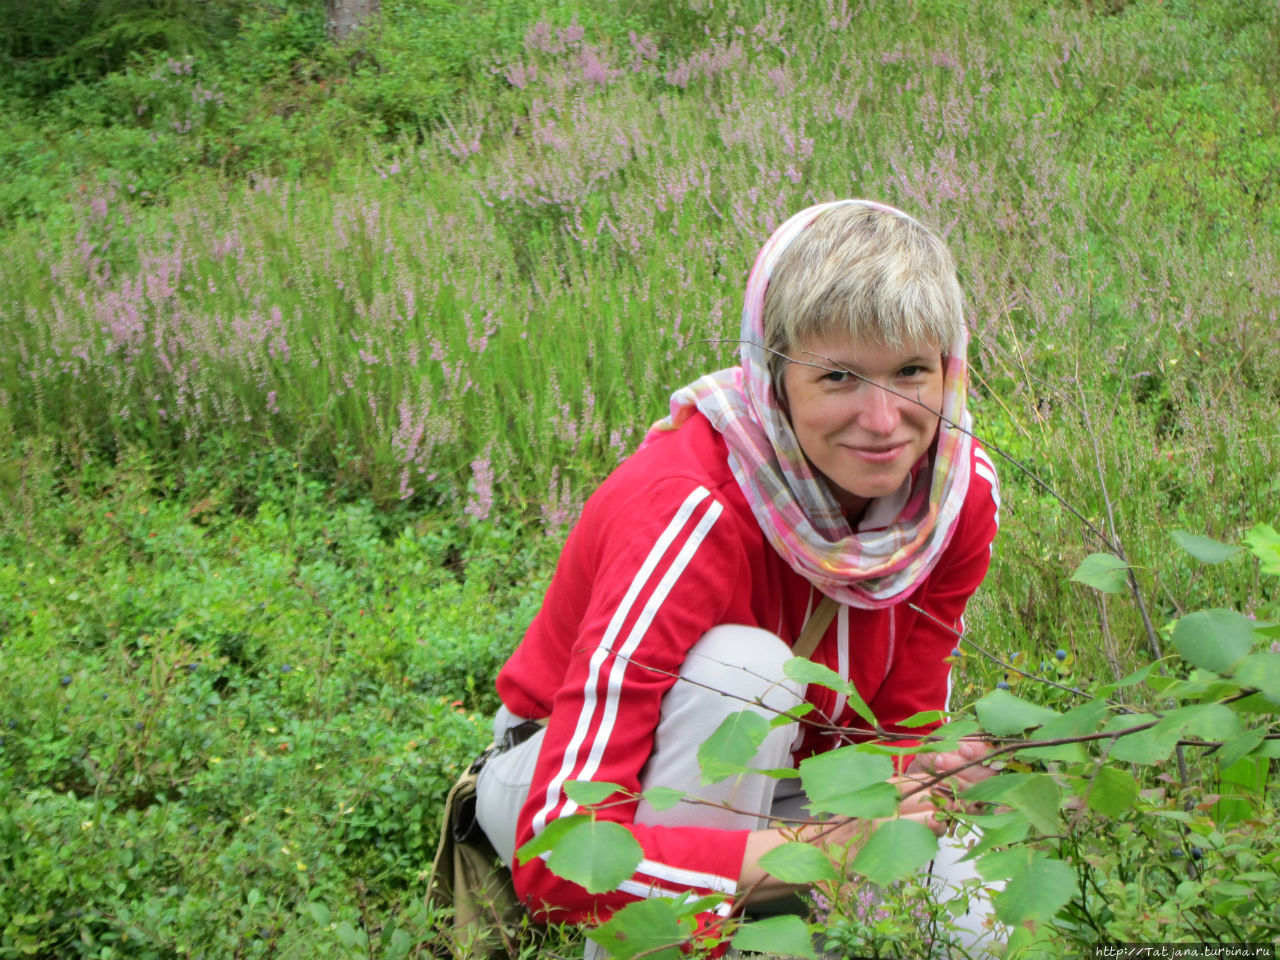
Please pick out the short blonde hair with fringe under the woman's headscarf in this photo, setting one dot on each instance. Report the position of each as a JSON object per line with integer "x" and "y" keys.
{"x": 868, "y": 272}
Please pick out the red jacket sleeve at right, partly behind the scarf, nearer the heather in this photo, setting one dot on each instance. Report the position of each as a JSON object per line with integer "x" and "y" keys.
{"x": 920, "y": 678}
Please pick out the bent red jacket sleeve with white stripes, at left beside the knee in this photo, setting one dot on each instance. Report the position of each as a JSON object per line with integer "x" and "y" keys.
{"x": 661, "y": 569}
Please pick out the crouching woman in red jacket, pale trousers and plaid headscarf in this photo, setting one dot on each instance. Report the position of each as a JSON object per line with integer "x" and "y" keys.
{"x": 820, "y": 468}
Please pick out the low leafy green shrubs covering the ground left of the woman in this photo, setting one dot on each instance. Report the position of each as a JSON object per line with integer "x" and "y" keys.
{"x": 230, "y": 693}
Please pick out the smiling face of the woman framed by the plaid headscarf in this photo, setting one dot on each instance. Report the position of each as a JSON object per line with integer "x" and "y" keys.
{"x": 862, "y": 438}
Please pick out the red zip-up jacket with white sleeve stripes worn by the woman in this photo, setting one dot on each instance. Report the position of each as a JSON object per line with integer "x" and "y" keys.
{"x": 666, "y": 550}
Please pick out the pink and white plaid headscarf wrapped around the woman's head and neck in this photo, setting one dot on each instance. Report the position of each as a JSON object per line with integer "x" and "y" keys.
{"x": 799, "y": 515}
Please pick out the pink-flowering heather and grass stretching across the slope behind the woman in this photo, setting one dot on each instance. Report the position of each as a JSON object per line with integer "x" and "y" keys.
{"x": 461, "y": 319}
